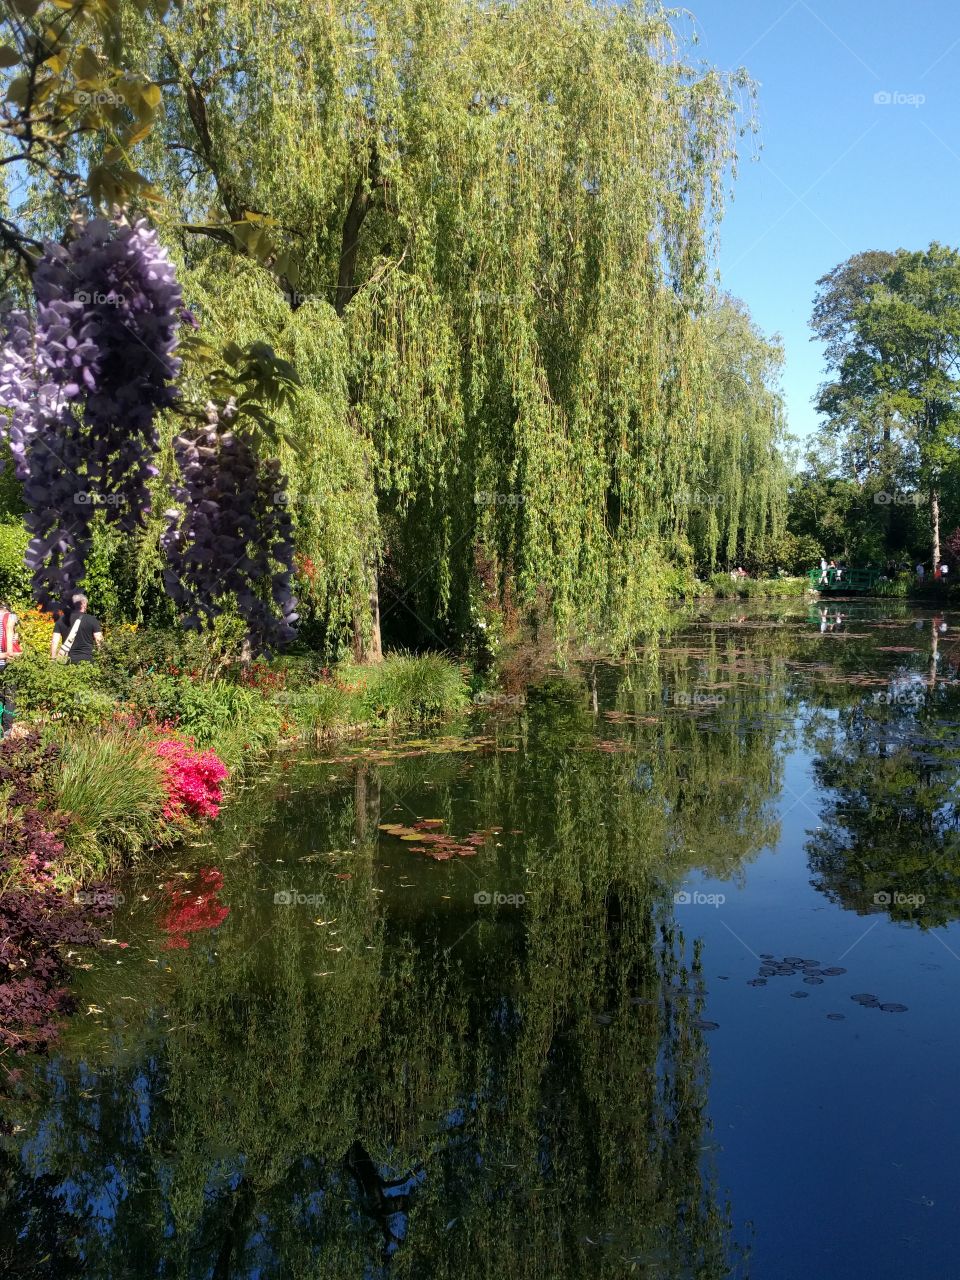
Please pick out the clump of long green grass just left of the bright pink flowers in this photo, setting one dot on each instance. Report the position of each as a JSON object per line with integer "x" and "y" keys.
{"x": 112, "y": 785}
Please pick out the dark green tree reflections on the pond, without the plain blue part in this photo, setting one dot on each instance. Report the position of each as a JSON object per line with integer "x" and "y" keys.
{"x": 327, "y": 1055}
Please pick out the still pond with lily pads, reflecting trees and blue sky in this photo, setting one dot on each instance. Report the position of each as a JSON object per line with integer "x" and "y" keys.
{"x": 651, "y": 970}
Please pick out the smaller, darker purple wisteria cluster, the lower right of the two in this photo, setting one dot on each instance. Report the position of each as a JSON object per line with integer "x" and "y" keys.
{"x": 235, "y": 536}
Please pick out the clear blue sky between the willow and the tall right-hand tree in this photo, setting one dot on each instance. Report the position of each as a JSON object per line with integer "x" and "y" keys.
{"x": 839, "y": 172}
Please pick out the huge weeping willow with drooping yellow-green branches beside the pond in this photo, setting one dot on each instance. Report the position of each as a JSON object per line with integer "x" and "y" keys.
{"x": 483, "y": 231}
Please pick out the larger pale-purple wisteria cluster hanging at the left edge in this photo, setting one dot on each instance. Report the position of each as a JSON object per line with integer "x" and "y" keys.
{"x": 84, "y": 386}
